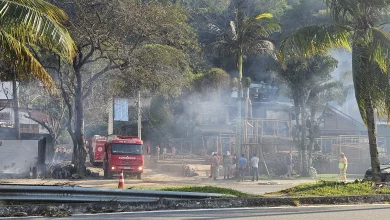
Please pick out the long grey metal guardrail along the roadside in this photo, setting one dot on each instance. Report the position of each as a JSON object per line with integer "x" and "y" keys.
{"x": 79, "y": 194}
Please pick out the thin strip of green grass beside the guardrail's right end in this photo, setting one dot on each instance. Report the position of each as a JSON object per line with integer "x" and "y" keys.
{"x": 210, "y": 189}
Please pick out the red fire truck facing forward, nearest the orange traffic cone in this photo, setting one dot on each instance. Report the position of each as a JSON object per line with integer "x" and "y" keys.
{"x": 123, "y": 153}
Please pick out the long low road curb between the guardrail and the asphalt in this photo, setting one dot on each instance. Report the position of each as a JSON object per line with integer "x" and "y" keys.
{"x": 60, "y": 210}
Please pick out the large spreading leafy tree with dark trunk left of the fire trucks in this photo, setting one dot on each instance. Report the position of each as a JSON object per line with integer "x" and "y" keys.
{"x": 110, "y": 34}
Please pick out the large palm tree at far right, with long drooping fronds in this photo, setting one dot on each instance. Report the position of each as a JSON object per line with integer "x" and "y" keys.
{"x": 355, "y": 29}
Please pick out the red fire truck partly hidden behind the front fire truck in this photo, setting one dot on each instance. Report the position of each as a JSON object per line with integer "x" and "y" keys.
{"x": 96, "y": 149}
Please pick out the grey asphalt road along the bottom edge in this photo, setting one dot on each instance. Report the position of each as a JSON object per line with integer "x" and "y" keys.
{"x": 354, "y": 212}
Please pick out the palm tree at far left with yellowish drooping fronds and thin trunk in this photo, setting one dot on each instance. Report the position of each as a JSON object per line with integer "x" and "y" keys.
{"x": 26, "y": 24}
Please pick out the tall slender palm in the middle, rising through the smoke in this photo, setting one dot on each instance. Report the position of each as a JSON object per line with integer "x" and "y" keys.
{"x": 248, "y": 35}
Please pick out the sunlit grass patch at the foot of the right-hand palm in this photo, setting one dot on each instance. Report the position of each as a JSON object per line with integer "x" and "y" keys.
{"x": 332, "y": 188}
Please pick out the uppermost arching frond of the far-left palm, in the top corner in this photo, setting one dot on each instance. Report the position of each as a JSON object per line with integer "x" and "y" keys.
{"x": 37, "y": 22}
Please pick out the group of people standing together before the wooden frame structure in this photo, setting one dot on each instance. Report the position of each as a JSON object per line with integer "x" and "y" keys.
{"x": 233, "y": 166}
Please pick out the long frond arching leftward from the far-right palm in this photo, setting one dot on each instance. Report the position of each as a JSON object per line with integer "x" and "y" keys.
{"x": 315, "y": 39}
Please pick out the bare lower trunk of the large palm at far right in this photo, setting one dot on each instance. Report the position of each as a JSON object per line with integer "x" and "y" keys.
{"x": 370, "y": 117}
